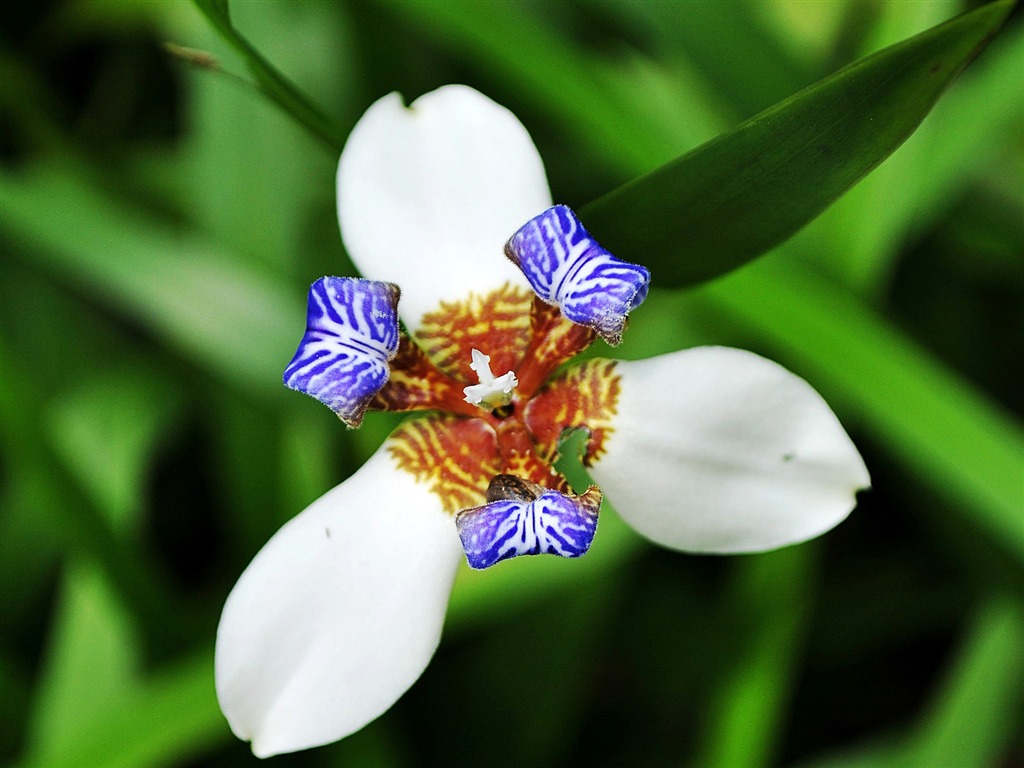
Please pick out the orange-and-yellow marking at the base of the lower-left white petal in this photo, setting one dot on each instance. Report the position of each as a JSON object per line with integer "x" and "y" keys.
{"x": 456, "y": 456}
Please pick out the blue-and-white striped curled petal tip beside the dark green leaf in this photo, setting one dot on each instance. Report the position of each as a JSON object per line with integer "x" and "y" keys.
{"x": 569, "y": 269}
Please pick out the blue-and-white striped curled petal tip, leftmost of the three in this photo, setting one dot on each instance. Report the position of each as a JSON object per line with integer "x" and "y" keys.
{"x": 352, "y": 333}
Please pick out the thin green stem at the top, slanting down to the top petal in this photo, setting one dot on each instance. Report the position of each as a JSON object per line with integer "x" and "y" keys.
{"x": 275, "y": 86}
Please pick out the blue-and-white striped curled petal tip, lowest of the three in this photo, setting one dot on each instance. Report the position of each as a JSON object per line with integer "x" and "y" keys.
{"x": 550, "y": 524}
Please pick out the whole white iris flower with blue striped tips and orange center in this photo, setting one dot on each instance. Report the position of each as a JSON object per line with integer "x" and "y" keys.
{"x": 707, "y": 450}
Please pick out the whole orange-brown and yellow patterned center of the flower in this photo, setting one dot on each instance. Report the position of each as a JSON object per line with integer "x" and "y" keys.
{"x": 462, "y": 448}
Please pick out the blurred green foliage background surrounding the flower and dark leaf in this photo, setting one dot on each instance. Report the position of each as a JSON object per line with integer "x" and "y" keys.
{"x": 160, "y": 227}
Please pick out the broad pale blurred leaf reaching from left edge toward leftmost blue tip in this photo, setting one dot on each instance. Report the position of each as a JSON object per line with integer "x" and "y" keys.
{"x": 236, "y": 320}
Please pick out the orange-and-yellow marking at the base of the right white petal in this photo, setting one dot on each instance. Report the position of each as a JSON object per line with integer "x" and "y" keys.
{"x": 585, "y": 396}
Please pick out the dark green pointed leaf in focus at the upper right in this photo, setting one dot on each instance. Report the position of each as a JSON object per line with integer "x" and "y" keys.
{"x": 742, "y": 194}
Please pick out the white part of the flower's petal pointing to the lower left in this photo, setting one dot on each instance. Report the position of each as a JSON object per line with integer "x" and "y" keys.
{"x": 339, "y": 614}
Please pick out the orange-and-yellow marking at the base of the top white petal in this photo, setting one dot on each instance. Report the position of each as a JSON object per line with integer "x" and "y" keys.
{"x": 498, "y": 325}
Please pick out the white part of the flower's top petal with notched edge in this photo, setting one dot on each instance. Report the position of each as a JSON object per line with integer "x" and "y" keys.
{"x": 429, "y": 195}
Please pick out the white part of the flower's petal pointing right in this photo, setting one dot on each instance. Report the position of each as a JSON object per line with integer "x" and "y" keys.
{"x": 717, "y": 450}
